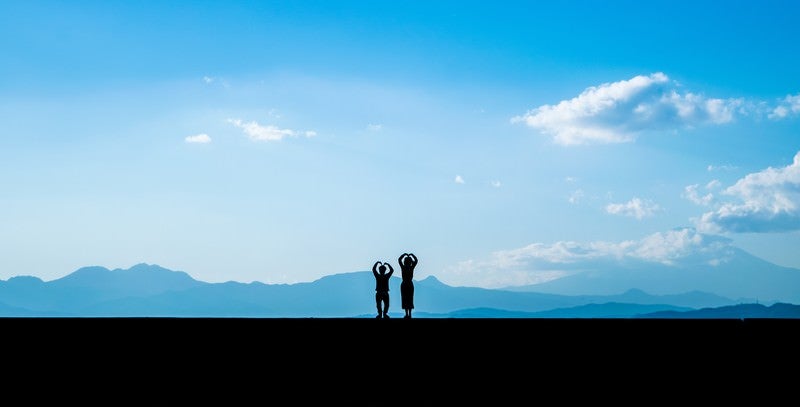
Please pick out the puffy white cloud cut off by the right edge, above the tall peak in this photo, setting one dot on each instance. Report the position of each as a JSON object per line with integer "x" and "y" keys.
{"x": 764, "y": 201}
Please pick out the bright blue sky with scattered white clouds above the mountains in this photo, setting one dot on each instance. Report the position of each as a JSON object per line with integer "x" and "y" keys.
{"x": 284, "y": 141}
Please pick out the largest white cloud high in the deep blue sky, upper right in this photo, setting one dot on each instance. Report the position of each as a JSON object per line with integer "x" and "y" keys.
{"x": 618, "y": 112}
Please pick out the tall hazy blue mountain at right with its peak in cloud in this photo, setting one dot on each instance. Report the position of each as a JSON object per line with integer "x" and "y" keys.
{"x": 741, "y": 276}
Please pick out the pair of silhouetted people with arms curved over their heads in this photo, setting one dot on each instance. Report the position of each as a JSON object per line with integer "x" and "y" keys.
{"x": 407, "y": 261}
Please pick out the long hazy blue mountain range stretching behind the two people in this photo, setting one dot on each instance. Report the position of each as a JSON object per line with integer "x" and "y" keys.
{"x": 150, "y": 290}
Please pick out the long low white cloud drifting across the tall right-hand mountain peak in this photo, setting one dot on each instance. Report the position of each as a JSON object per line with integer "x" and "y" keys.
{"x": 540, "y": 262}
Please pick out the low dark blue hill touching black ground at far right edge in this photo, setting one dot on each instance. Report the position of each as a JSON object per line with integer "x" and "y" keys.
{"x": 777, "y": 310}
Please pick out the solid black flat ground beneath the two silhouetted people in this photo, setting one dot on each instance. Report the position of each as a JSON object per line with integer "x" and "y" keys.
{"x": 444, "y": 358}
